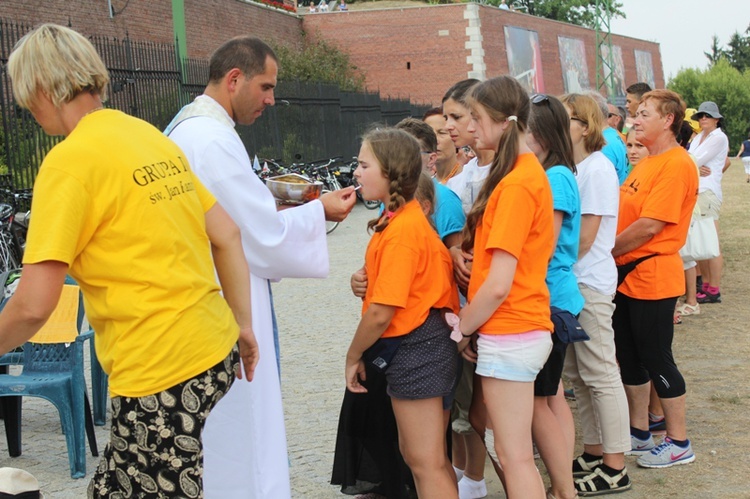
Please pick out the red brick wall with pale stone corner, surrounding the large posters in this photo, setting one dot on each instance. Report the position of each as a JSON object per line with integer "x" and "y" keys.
{"x": 434, "y": 40}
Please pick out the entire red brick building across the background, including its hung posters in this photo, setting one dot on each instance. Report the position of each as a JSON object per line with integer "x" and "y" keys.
{"x": 411, "y": 51}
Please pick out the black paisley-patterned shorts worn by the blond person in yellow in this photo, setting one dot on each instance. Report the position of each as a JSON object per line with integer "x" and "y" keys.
{"x": 155, "y": 448}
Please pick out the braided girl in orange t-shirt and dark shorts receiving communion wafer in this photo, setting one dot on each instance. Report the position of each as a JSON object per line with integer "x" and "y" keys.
{"x": 410, "y": 281}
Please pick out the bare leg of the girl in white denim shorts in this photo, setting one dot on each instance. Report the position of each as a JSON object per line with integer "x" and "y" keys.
{"x": 510, "y": 406}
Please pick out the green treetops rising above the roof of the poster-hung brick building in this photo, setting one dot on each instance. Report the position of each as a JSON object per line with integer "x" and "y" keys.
{"x": 580, "y": 12}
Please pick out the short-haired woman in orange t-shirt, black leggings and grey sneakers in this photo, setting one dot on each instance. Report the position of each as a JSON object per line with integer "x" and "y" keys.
{"x": 656, "y": 205}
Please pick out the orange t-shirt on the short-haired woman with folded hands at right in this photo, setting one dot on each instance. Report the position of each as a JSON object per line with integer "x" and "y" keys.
{"x": 662, "y": 187}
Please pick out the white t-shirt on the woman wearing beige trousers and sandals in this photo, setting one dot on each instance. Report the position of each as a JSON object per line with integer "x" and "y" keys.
{"x": 599, "y": 189}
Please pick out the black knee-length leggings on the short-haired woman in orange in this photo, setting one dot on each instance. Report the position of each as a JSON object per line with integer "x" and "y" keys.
{"x": 643, "y": 339}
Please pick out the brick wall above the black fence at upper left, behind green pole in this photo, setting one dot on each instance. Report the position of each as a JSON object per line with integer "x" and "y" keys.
{"x": 208, "y": 22}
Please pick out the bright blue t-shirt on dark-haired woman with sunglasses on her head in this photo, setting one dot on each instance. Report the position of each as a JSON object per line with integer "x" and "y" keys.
{"x": 562, "y": 283}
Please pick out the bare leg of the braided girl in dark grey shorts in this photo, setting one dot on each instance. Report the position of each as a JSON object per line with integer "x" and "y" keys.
{"x": 421, "y": 434}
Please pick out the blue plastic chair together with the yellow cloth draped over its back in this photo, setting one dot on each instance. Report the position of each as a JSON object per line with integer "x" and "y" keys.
{"x": 54, "y": 371}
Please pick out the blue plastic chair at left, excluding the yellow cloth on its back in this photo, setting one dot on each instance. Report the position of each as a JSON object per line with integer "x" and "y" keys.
{"x": 53, "y": 371}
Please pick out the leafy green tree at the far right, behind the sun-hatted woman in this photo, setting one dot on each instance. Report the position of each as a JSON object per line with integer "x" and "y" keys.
{"x": 724, "y": 85}
